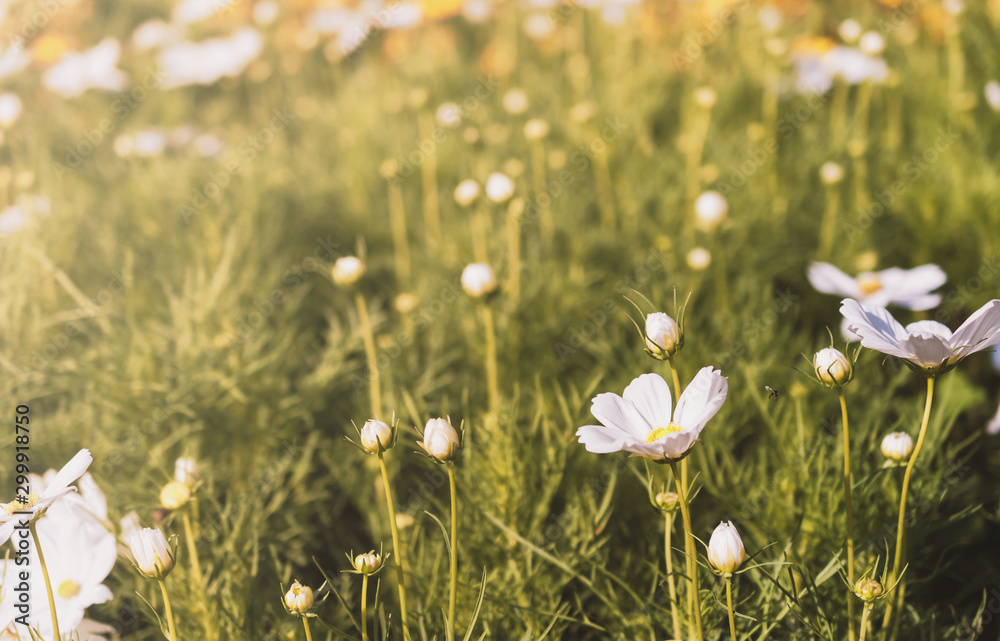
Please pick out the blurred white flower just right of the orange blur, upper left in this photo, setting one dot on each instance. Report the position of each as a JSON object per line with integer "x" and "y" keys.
{"x": 75, "y": 72}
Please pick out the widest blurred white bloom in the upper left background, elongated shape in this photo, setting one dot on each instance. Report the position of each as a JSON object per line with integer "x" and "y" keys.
{"x": 207, "y": 62}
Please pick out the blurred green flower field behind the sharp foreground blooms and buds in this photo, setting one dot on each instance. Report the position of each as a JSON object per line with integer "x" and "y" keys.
{"x": 177, "y": 182}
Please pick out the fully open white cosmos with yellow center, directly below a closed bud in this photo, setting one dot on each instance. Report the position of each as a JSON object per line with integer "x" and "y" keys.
{"x": 641, "y": 421}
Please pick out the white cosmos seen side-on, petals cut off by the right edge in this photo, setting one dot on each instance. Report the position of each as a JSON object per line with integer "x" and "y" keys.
{"x": 927, "y": 346}
